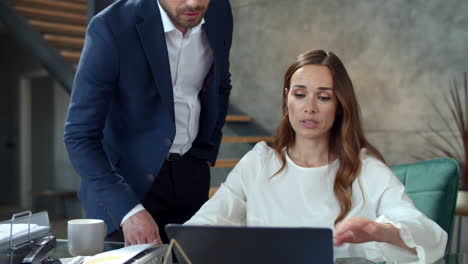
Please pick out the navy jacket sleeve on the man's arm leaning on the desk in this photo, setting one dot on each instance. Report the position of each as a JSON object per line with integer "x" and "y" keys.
{"x": 95, "y": 81}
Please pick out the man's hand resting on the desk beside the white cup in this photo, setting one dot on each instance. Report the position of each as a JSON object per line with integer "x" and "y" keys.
{"x": 141, "y": 228}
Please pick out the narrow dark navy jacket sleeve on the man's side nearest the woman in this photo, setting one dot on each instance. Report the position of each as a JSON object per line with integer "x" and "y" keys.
{"x": 225, "y": 85}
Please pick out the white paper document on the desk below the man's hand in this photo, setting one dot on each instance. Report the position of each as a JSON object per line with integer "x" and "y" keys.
{"x": 118, "y": 256}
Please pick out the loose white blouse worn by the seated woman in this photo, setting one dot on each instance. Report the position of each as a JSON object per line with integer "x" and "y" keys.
{"x": 299, "y": 196}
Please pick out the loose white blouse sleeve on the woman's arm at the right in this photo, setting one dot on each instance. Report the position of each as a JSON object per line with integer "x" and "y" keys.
{"x": 417, "y": 231}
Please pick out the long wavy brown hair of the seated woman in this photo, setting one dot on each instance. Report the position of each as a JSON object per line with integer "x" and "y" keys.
{"x": 346, "y": 137}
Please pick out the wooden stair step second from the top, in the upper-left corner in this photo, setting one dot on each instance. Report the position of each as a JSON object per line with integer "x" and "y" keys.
{"x": 51, "y": 15}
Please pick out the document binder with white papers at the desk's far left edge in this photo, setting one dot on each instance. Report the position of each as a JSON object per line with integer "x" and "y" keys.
{"x": 18, "y": 235}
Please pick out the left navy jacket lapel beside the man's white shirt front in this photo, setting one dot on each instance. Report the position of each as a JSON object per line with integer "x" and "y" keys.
{"x": 153, "y": 41}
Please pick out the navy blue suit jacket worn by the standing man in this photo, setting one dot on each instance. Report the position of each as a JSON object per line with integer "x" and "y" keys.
{"x": 120, "y": 123}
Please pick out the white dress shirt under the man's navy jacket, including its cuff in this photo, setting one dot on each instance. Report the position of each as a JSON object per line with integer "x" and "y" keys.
{"x": 190, "y": 58}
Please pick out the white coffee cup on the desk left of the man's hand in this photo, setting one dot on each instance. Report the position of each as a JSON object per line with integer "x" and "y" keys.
{"x": 86, "y": 236}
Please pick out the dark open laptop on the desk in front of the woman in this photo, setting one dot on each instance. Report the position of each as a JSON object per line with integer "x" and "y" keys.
{"x": 253, "y": 245}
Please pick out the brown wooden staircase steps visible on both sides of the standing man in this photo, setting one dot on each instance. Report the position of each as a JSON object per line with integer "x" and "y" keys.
{"x": 63, "y": 24}
